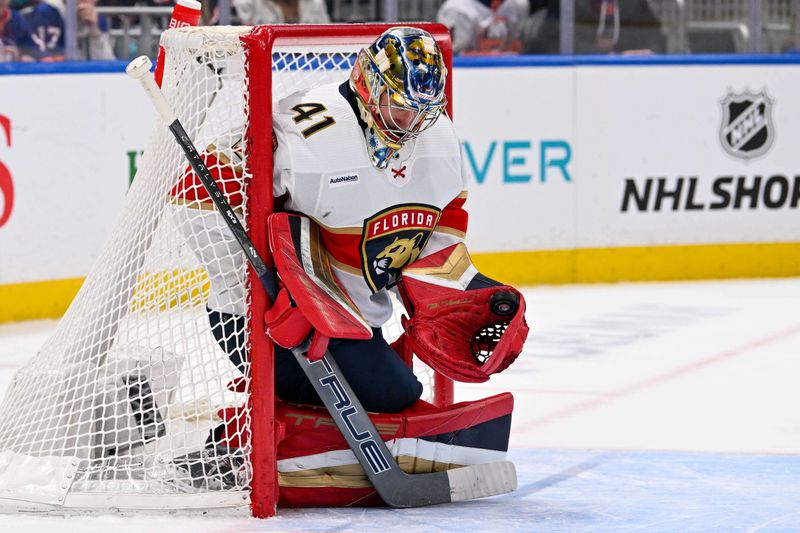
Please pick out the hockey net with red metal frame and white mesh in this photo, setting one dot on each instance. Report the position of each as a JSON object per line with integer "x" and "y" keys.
{"x": 118, "y": 408}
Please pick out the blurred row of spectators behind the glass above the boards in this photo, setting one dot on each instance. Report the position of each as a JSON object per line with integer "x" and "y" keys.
{"x": 34, "y": 30}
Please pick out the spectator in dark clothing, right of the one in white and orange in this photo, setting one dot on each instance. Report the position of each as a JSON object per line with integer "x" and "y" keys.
{"x": 601, "y": 27}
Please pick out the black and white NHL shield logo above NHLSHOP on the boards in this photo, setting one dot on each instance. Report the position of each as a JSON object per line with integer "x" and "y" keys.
{"x": 747, "y": 130}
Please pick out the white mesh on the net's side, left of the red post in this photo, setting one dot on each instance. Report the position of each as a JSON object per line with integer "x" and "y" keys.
{"x": 131, "y": 382}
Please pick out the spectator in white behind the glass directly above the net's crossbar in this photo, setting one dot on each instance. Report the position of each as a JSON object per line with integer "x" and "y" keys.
{"x": 253, "y": 12}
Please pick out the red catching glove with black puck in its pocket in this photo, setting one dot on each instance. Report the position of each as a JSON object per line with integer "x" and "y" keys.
{"x": 462, "y": 324}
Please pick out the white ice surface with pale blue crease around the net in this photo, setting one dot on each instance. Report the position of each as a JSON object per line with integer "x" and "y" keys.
{"x": 639, "y": 407}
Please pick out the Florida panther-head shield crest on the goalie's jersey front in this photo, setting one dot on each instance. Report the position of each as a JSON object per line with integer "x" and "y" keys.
{"x": 392, "y": 239}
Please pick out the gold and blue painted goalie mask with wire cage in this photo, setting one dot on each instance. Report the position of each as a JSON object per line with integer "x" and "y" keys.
{"x": 399, "y": 82}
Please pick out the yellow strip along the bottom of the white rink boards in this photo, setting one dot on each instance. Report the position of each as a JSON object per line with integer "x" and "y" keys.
{"x": 50, "y": 299}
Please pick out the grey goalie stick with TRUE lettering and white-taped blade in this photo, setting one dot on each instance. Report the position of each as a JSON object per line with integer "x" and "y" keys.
{"x": 394, "y": 486}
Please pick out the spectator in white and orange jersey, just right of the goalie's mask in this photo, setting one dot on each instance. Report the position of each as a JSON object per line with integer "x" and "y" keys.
{"x": 485, "y": 26}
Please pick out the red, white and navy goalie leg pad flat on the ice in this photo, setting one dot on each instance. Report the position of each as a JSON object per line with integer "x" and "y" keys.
{"x": 317, "y": 469}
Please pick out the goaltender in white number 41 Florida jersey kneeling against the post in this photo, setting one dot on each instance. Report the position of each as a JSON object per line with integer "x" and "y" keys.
{"x": 372, "y": 186}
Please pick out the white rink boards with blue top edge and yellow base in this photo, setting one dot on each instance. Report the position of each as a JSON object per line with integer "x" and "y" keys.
{"x": 584, "y": 169}
